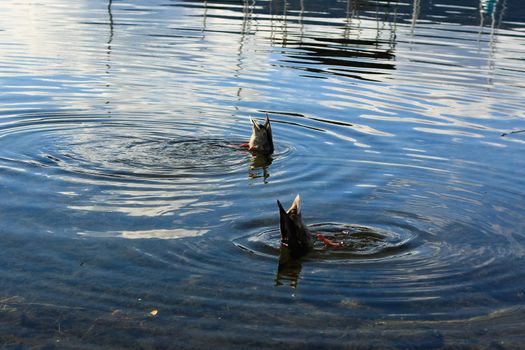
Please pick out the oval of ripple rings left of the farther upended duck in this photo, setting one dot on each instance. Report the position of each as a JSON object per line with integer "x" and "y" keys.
{"x": 117, "y": 149}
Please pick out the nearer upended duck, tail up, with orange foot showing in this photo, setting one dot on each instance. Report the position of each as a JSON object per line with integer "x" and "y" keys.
{"x": 294, "y": 234}
